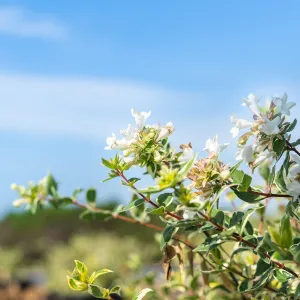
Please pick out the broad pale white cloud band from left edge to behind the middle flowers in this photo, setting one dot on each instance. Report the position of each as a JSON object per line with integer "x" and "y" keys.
{"x": 85, "y": 108}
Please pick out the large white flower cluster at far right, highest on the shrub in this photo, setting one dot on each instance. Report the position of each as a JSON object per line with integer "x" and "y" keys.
{"x": 267, "y": 126}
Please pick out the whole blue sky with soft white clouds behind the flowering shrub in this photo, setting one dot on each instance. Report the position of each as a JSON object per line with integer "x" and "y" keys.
{"x": 70, "y": 71}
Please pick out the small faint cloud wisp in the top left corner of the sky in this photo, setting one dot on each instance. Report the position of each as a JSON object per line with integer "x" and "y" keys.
{"x": 21, "y": 22}
